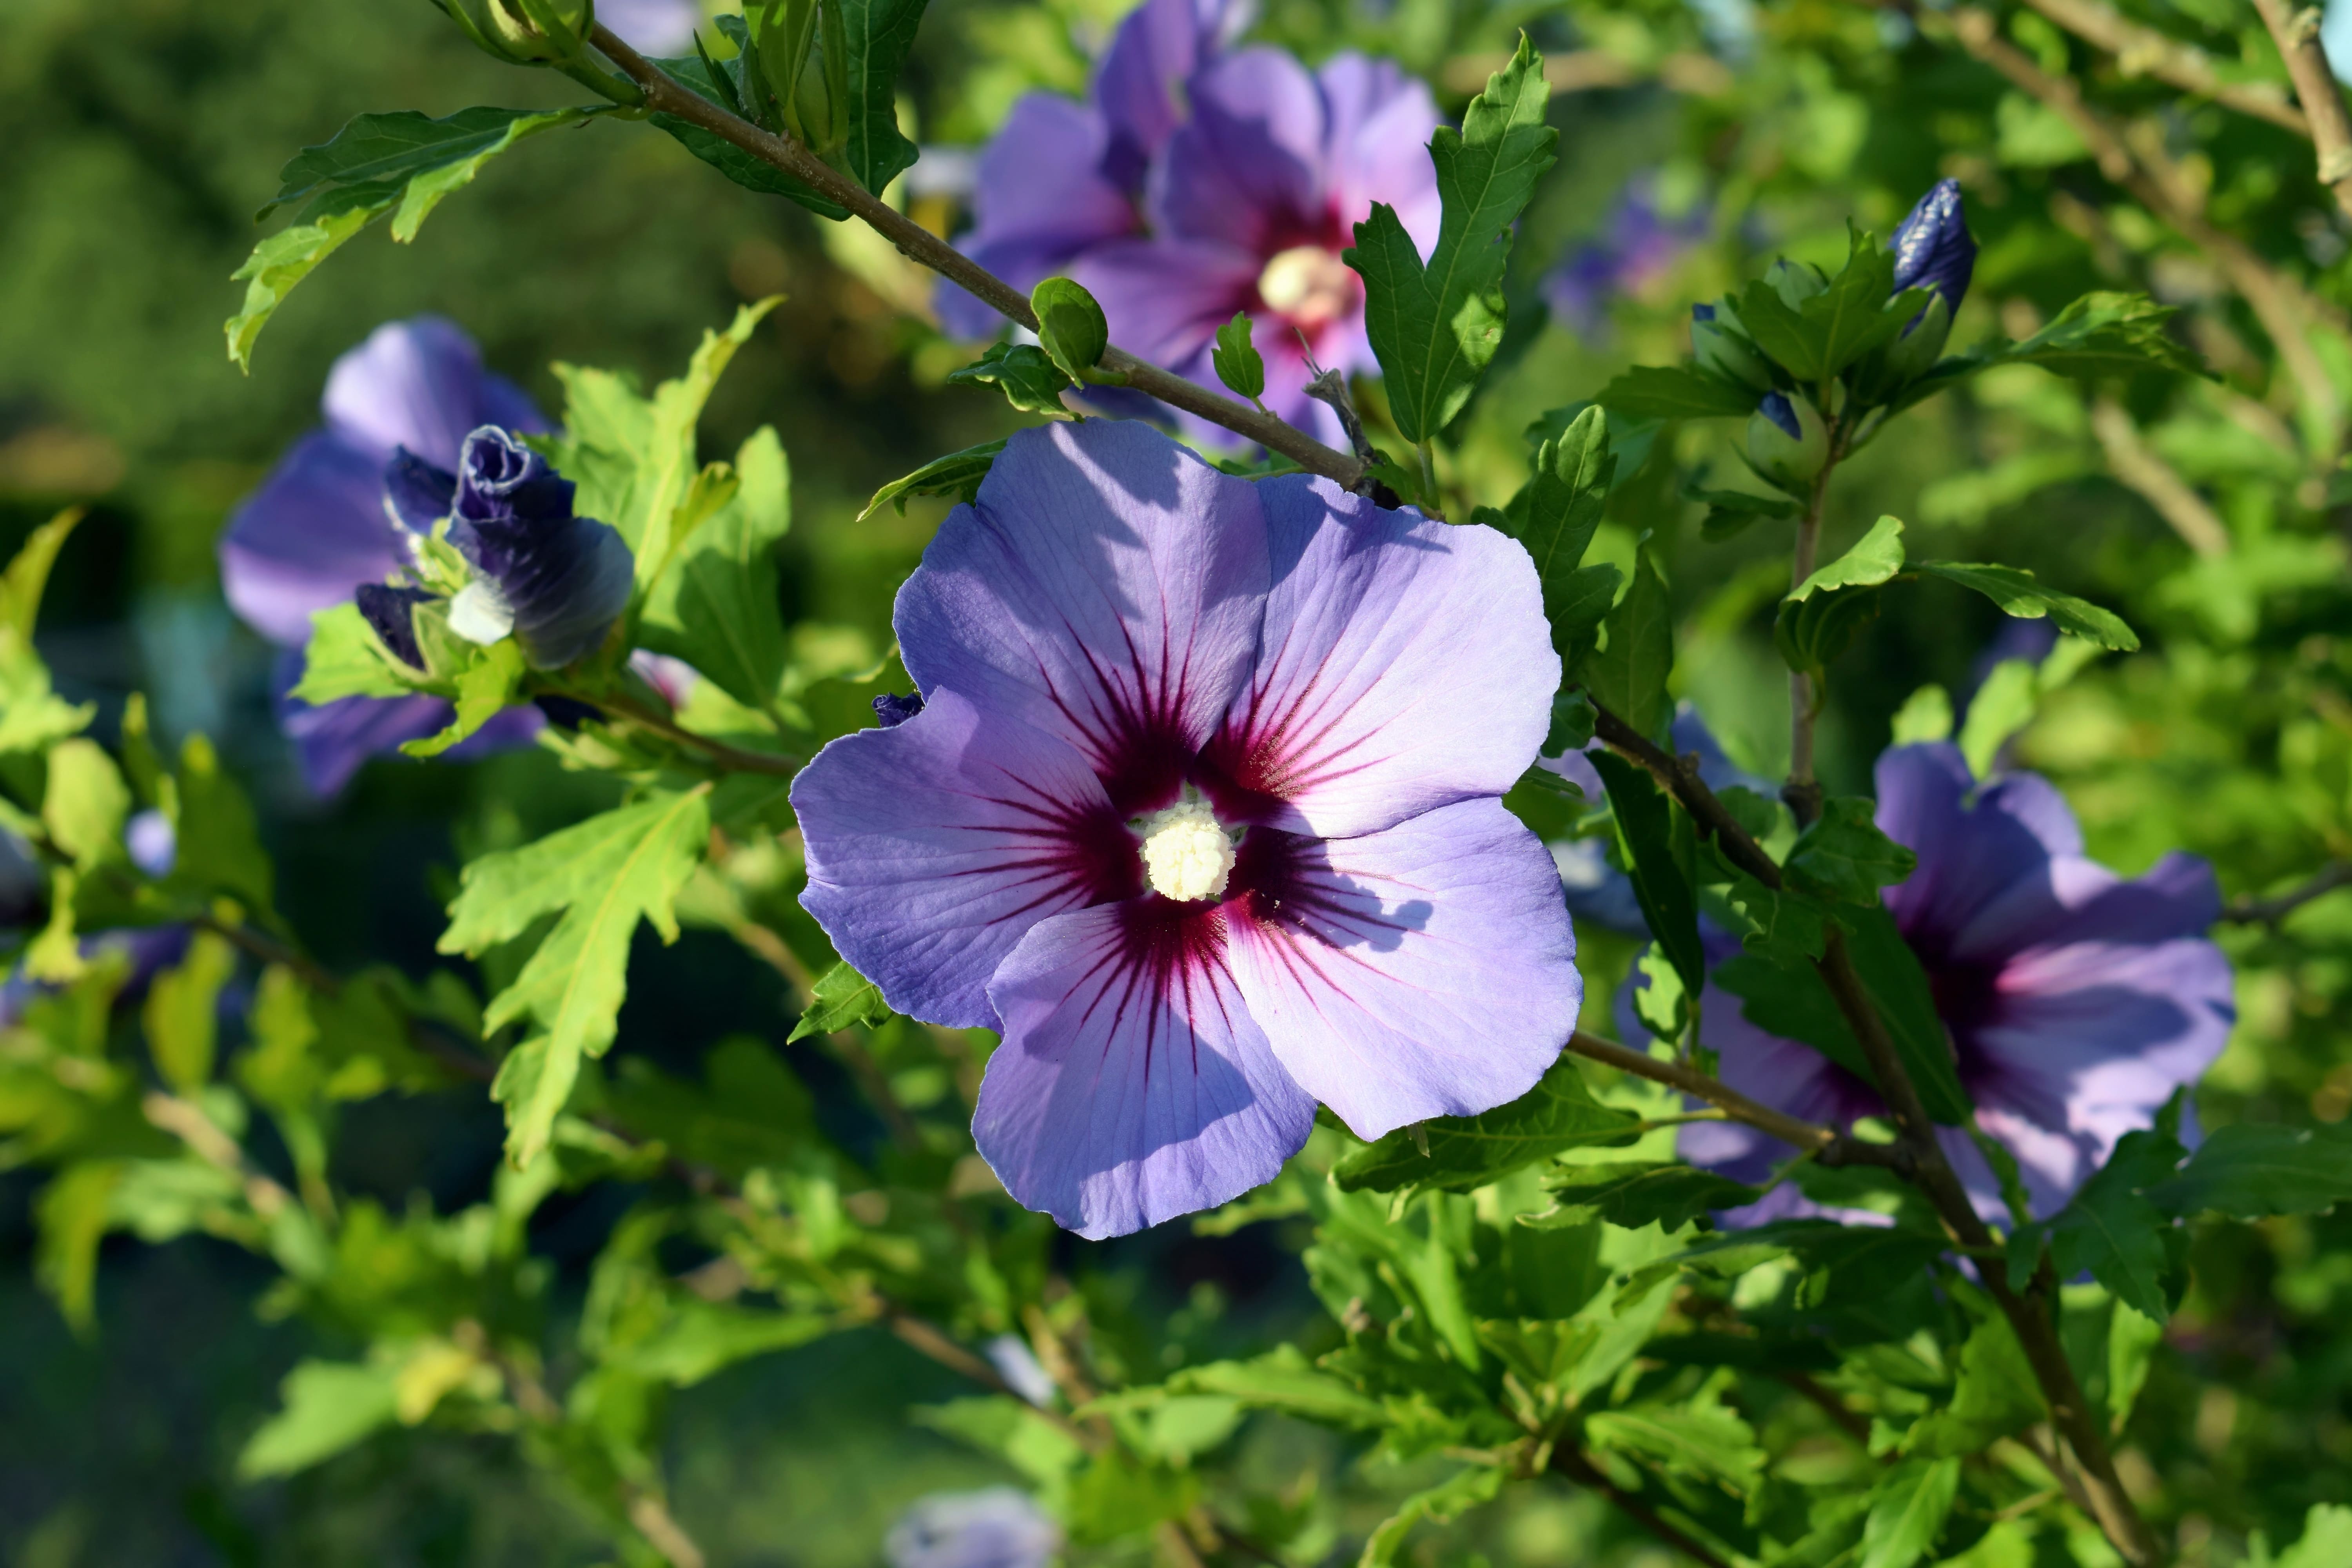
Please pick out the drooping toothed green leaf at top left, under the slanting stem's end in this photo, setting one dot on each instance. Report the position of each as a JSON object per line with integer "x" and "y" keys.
{"x": 370, "y": 168}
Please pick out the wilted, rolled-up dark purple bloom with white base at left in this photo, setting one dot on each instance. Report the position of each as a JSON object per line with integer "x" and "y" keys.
{"x": 549, "y": 579}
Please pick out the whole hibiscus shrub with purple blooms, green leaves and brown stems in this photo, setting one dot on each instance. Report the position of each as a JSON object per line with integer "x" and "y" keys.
{"x": 1297, "y": 808}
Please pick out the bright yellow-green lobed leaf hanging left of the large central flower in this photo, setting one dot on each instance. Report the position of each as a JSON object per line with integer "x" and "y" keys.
{"x": 603, "y": 878}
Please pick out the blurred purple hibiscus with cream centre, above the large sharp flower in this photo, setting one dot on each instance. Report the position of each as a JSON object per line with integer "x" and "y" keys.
{"x": 1234, "y": 196}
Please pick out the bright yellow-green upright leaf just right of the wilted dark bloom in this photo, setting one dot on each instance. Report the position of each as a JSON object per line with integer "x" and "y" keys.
{"x": 634, "y": 457}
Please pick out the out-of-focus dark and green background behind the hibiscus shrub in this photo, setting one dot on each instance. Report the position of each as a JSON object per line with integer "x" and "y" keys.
{"x": 138, "y": 138}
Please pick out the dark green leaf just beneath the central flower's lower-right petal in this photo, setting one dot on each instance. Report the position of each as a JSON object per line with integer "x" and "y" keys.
{"x": 1466, "y": 1153}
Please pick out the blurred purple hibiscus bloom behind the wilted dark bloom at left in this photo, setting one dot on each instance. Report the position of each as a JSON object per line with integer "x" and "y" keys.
{"x": 319, "y": 528}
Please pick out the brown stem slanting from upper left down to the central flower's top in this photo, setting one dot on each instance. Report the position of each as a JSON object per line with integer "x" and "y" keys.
{"x": 918, "y": 243}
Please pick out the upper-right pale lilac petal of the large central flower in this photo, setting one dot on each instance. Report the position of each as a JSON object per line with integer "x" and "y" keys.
{"x": 1405, "y": 666}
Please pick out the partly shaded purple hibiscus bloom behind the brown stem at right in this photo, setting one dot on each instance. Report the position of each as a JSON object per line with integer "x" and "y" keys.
{"x": 2078, "y": 1000}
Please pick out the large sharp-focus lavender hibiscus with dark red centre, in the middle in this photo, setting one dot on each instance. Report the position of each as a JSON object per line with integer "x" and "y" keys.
{"x": 1194, "y": 815}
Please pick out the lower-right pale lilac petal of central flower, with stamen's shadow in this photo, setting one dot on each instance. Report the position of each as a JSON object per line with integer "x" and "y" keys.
{"x": 1408, "y": 974}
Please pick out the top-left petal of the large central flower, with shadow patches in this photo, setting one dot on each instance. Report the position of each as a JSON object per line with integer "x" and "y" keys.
{"x": 1107, "y": 587}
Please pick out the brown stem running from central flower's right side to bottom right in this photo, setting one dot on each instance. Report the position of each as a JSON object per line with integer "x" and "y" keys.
{"x": 2031, "y": 1315}
